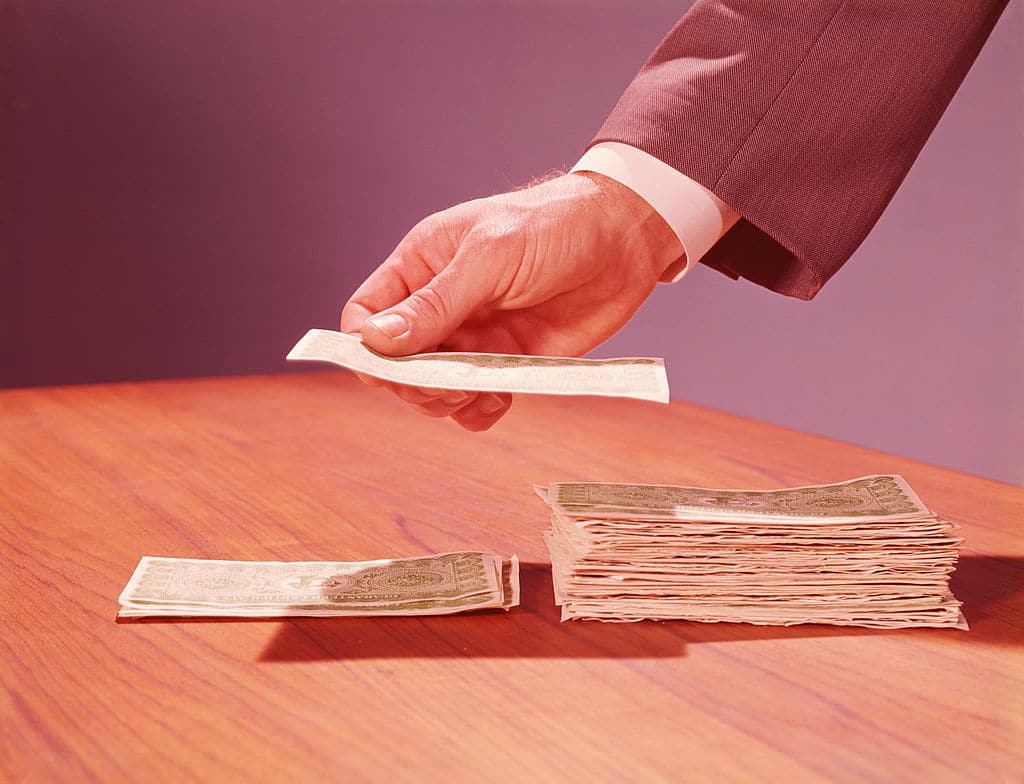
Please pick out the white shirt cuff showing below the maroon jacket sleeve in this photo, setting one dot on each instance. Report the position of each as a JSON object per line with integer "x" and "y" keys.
{"x": 699, "y": 217}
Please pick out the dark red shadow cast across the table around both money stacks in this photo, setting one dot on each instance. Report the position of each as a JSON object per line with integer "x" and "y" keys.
{"x": 990, "y": 588}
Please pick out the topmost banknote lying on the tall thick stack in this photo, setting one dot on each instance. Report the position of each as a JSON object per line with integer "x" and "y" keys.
{"x": 877, "y": 498}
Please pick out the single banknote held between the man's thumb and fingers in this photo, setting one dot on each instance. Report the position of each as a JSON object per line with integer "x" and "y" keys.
{"x": 639, "y": 378}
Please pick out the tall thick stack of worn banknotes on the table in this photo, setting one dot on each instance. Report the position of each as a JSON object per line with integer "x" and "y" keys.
{"x": 863, "y": 553}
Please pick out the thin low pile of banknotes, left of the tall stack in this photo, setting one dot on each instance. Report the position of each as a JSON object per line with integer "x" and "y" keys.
{"x": 439, "y": 585}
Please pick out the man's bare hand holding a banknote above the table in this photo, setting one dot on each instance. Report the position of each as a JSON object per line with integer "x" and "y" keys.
{"x": 556, "y": 269}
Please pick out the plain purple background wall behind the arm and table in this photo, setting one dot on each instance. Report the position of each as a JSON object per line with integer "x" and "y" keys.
{"x": 189, "y": 187}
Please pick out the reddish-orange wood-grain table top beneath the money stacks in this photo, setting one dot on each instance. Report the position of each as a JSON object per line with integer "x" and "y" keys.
{"x": 317, "y": 467}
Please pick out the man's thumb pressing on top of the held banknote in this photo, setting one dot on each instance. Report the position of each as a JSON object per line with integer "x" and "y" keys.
{"x": 425, "y": 319}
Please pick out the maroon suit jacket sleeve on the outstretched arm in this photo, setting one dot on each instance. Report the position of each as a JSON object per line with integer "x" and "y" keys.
{"x": 804, "y": 117}
